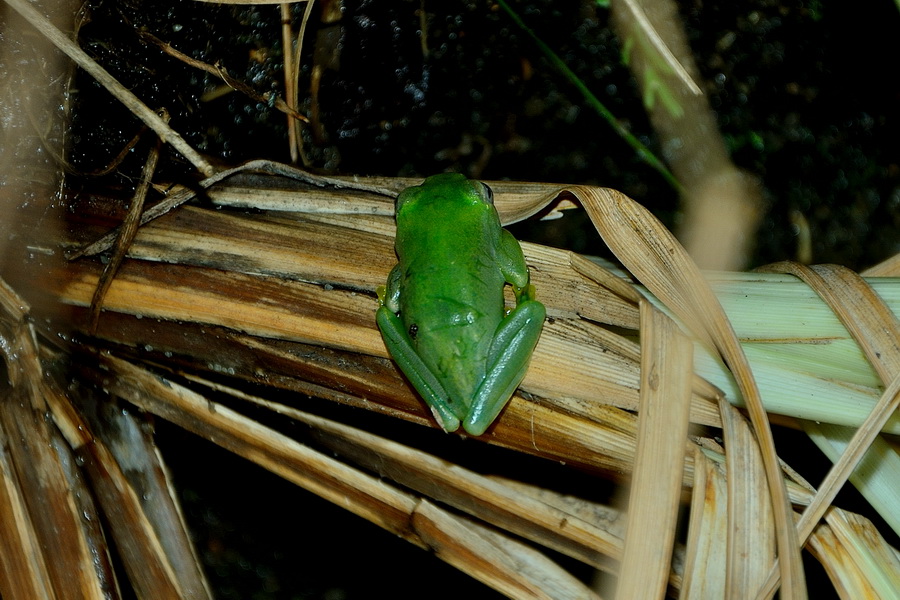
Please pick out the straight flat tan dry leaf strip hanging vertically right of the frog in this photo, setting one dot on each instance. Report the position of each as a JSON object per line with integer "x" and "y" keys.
{"x": 666, "y": 372}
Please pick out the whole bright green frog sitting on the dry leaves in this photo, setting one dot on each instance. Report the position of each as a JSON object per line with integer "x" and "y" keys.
{"x": 442, "y": 313}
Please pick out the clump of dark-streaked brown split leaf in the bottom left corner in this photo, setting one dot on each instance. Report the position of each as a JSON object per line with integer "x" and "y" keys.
{"x": 53, "y": 507}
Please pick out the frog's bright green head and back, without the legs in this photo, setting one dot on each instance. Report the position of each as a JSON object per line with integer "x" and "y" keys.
{"x": 451, "y": 287}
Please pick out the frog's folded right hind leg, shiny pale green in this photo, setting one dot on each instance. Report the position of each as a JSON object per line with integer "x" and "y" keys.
{"x": 507, "y": 363}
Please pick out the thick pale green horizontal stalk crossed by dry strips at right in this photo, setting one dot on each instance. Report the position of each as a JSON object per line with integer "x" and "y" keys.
{"x": 798, "y": 348}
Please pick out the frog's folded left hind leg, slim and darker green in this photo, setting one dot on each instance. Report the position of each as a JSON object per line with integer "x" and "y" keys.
{"x": 398, "y": 343}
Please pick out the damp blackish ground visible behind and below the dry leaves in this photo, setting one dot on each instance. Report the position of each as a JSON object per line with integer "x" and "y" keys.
{"x": 805, "y": 93}
